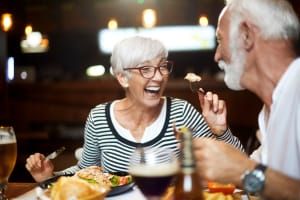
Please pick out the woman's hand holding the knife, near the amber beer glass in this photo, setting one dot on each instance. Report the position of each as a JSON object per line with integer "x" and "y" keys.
{"x": 39, "y": 167}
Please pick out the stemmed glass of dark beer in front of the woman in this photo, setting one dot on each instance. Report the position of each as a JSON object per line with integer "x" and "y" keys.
{"x": 152, "y": 170}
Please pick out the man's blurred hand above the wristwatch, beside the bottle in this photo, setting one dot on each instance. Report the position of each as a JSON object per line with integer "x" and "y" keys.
{"x": 220, "y": 162}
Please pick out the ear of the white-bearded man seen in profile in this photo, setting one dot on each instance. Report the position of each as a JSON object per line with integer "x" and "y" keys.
{"x": 247, "y": 35}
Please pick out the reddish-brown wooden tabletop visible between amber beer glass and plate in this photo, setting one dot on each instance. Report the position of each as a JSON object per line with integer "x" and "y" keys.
{"x": 16, "y": 189}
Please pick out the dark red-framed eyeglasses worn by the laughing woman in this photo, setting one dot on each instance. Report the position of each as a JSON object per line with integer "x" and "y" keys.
{"x": 149, "y": 71}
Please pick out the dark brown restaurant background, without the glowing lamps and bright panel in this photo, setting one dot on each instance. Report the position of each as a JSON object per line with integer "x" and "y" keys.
{"x": 51, "y": 110}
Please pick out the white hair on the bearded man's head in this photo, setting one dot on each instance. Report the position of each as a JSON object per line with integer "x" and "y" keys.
{"x": 276, "y": 19}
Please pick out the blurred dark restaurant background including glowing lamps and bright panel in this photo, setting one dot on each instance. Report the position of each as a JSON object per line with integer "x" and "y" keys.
{"x": 54, "y": 65}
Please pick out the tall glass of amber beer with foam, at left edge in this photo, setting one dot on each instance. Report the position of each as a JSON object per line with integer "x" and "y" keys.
{"x": 8, "y": 156}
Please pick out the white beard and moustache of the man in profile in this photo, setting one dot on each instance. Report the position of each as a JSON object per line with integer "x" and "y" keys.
{"x": 234, "y": 70}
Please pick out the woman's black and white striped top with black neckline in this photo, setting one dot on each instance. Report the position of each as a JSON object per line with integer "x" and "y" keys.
{"x": 105, "y": 147}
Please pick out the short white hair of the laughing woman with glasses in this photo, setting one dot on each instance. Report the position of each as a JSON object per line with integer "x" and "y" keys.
{"x": 135, "y": 50}
